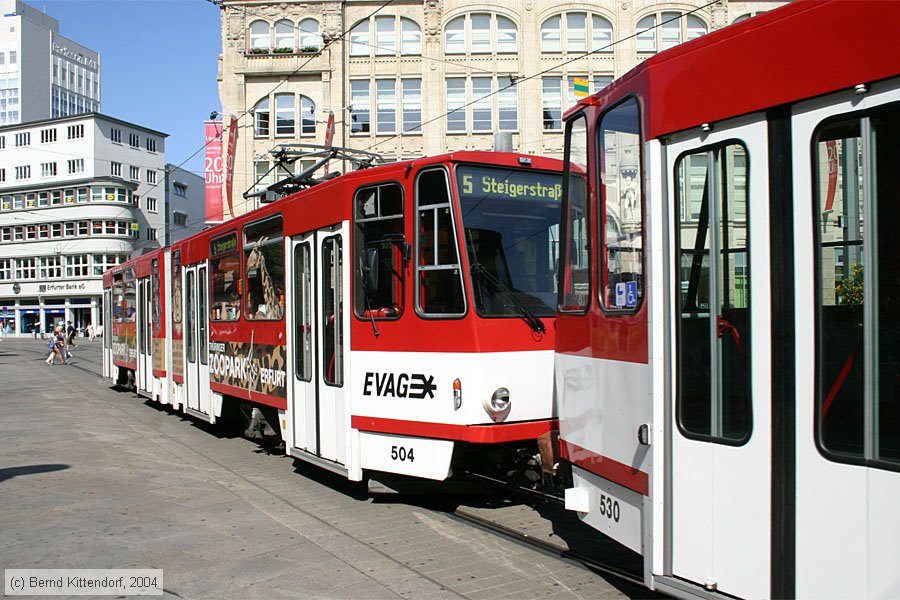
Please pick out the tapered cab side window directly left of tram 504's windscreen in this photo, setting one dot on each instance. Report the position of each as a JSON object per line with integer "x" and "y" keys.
{"x": 439, "y": 289}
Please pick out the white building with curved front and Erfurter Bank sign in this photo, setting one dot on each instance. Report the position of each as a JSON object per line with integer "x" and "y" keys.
{"x": 77, "y": 195}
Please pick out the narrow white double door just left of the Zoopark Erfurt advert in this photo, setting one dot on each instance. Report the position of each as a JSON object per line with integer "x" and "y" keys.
{"x": 196, "y": 333}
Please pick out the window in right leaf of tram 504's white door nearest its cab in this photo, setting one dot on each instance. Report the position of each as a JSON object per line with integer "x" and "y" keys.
{"x": 332, "y": 307}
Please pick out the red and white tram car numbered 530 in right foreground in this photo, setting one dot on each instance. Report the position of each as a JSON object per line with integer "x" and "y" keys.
{"x": 728, "y": 337}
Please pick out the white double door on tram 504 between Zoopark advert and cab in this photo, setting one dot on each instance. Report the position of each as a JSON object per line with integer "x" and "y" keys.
{"x": 319, "y": 405}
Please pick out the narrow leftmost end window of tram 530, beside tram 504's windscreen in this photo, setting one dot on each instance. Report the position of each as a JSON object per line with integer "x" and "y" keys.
{"x": 575, "y": 284}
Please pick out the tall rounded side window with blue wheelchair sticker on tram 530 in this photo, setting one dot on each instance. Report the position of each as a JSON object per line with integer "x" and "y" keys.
{"x": 621, "y": 209}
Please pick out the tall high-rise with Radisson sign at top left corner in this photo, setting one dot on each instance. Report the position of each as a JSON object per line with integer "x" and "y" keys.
{"x": 43, "y": 75}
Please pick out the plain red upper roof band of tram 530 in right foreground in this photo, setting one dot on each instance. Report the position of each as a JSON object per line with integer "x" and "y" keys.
{"x": 800, "y": 50}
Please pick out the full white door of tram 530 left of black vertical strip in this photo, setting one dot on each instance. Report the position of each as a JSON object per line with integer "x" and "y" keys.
{"x": 720, "y": 496}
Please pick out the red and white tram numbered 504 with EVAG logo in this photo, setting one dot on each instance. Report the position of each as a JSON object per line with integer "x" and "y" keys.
{"x": 385, "y": 320}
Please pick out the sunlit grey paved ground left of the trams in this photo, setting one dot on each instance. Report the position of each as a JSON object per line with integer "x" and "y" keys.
{"x": 95, "y": 478}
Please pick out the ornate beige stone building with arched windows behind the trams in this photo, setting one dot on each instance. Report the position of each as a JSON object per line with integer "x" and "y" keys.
{"x": 423, "y": 78}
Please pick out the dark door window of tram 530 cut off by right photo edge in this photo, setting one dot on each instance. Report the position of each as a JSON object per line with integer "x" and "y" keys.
{"x": 858, "y": 287}
